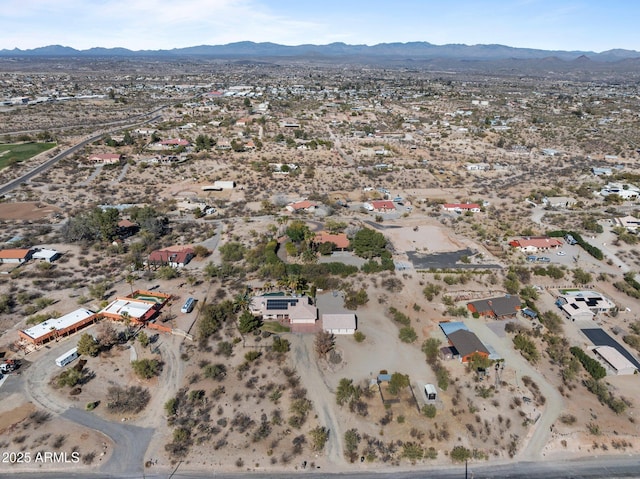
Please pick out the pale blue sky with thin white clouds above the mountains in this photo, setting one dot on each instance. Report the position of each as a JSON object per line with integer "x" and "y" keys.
{"x": 592, "y": 25}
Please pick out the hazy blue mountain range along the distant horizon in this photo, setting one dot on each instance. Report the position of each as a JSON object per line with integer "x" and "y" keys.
{"x": 417, "y": 51}
